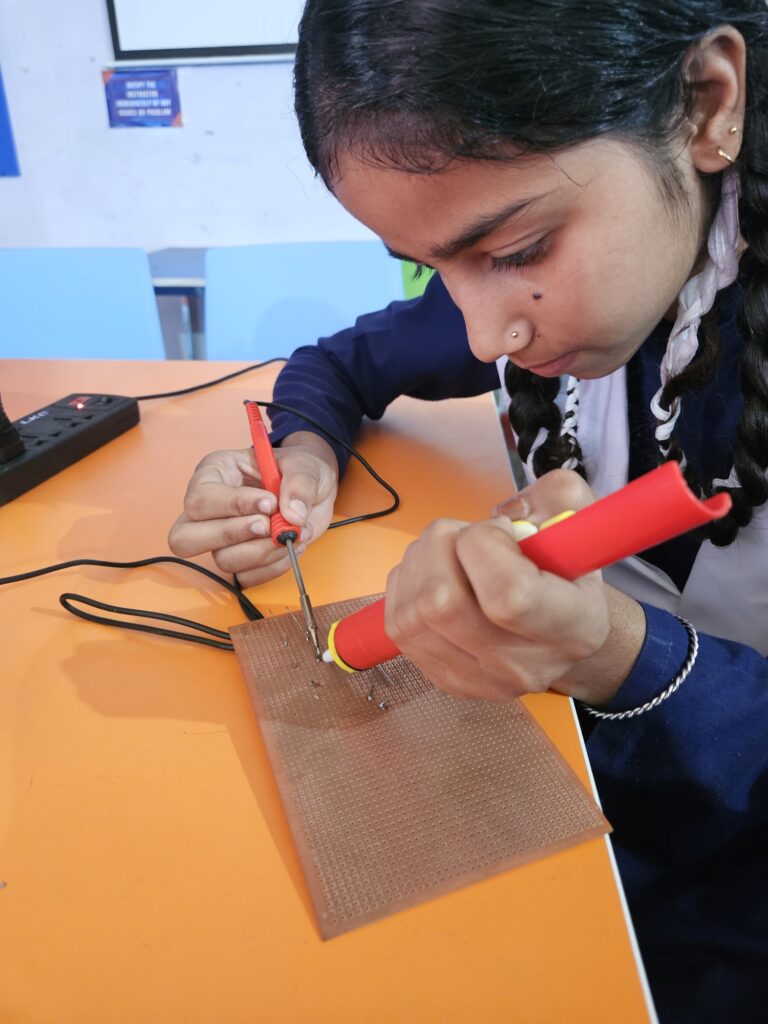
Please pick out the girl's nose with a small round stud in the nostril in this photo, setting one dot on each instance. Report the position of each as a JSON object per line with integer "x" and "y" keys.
{"x": 495, "y": 327}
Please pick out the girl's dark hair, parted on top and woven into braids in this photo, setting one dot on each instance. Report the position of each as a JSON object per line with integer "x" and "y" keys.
{"x": 415, "y": 84}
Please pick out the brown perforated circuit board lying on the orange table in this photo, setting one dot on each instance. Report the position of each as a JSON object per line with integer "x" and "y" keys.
{"x": 395, "y": 792}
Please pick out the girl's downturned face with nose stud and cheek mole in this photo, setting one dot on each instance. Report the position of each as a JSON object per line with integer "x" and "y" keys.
{"x": 563, "y": 263}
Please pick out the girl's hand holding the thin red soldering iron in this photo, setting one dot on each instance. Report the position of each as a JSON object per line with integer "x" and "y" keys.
{"x": 228, "y": 513}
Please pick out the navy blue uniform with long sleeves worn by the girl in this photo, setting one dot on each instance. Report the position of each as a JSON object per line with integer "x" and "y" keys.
{"x": 686, "y": 786}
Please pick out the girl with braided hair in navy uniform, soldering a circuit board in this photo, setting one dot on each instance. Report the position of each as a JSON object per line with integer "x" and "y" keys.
{"x": 576, "y": 175}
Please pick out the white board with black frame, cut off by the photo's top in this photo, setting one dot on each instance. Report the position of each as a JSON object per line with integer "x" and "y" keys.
{"x": 148, "y": 29}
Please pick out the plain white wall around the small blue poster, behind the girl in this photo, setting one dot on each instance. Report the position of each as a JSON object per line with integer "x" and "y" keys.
{"x": 234, "y": 175}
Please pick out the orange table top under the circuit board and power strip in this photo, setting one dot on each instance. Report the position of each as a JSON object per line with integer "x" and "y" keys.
{"x": 149, "y": 871}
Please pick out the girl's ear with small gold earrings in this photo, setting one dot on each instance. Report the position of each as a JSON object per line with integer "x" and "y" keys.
{"x": 716, "y": 71}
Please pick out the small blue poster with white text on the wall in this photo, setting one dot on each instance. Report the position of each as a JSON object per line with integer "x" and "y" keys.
{"x": 143, "y": 99}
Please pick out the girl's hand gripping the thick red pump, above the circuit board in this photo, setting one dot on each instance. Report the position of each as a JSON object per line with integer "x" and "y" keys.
{"x": 482, "y": 621}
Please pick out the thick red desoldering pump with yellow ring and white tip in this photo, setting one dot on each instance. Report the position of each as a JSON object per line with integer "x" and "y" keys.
{"x": 651, "y": 510}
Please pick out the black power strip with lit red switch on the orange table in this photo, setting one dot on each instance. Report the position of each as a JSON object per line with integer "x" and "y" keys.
{"x": 62, "y": 434}
